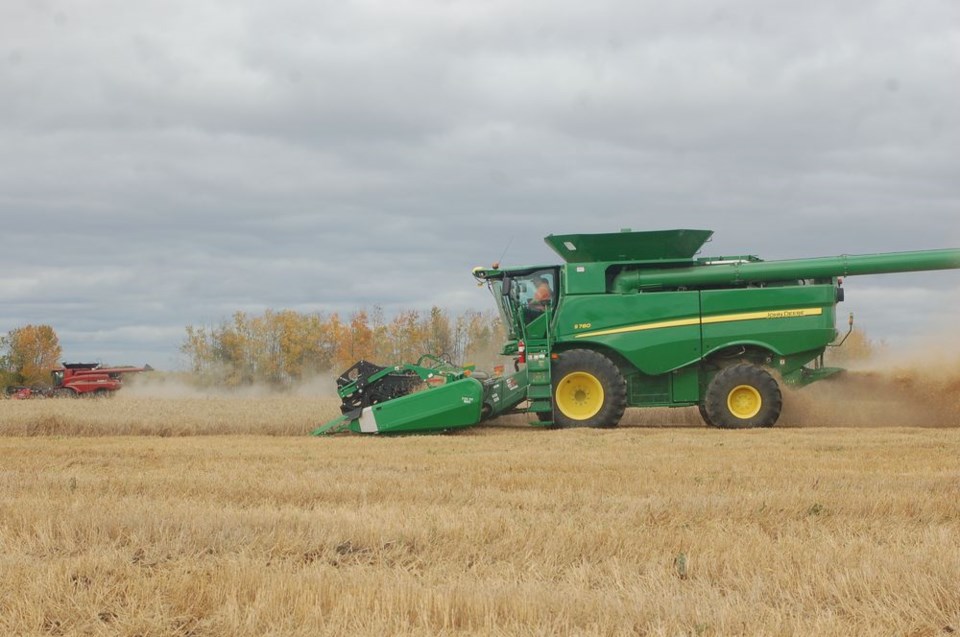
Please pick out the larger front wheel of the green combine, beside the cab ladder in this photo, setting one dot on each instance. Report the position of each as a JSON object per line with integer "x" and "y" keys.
{"x": 588, "y": 390}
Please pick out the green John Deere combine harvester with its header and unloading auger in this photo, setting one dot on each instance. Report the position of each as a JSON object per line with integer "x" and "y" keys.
{"x": 631, "y": 319}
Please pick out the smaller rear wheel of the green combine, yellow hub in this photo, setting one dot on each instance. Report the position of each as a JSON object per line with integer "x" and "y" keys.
{"x": 741, "y": 397}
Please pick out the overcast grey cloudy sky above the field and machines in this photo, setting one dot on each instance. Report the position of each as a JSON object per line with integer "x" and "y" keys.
{"x": 166, "y": 163}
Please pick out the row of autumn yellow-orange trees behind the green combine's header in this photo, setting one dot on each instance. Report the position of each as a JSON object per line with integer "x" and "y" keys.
{"x": 285, "y": 346}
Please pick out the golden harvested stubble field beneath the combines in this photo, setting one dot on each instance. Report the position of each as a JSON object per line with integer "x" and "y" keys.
{"x": 213, "y": 516}
